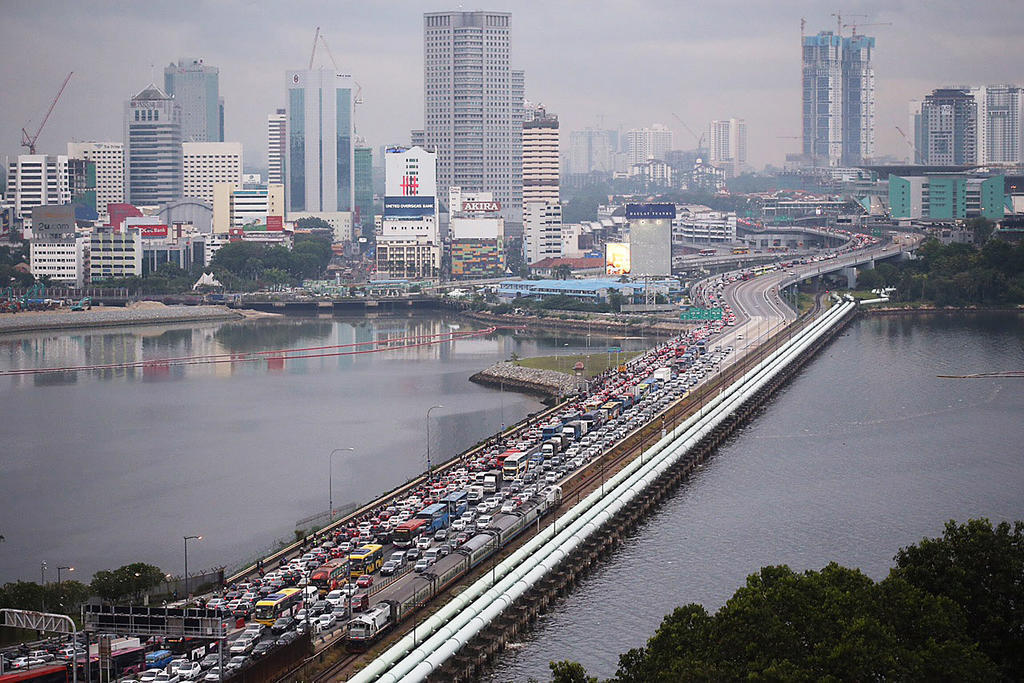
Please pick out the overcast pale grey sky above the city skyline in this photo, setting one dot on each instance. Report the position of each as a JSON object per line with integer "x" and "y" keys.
{"x": 595, "y": 64}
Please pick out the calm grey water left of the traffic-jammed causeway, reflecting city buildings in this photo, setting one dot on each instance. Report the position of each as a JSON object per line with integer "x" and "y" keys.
{"x": 107, "y": 467}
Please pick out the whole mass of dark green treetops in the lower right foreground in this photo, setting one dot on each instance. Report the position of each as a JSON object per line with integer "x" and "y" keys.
{"x": 951, "y": 610}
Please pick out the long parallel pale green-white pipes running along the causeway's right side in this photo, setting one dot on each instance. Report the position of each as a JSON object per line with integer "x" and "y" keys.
{"x": 463, "y": 617}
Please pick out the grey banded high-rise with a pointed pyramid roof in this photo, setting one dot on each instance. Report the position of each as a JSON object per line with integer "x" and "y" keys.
{"x": 153, "y": 148}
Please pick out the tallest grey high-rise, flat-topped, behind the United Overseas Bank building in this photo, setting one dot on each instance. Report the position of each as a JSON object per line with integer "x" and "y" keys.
{"x": 474, "y": 105}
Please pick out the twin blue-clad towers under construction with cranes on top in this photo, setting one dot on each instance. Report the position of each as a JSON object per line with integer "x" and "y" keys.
{"x": 838, "y": 100}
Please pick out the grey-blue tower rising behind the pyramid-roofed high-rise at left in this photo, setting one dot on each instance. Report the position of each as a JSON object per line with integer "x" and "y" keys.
{"x": 196, "y": 89}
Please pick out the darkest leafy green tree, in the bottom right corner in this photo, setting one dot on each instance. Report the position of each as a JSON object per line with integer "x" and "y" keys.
{"x": 982, "y": 569}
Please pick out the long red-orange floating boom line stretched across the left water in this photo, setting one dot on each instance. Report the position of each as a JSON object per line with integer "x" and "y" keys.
{"x": 278, "y": 355}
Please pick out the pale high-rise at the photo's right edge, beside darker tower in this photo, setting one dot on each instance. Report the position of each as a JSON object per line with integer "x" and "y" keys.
{"x": 1001, "y": 137}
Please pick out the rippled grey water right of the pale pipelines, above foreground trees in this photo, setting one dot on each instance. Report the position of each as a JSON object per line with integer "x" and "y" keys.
{"x": 866, "y": 452}
